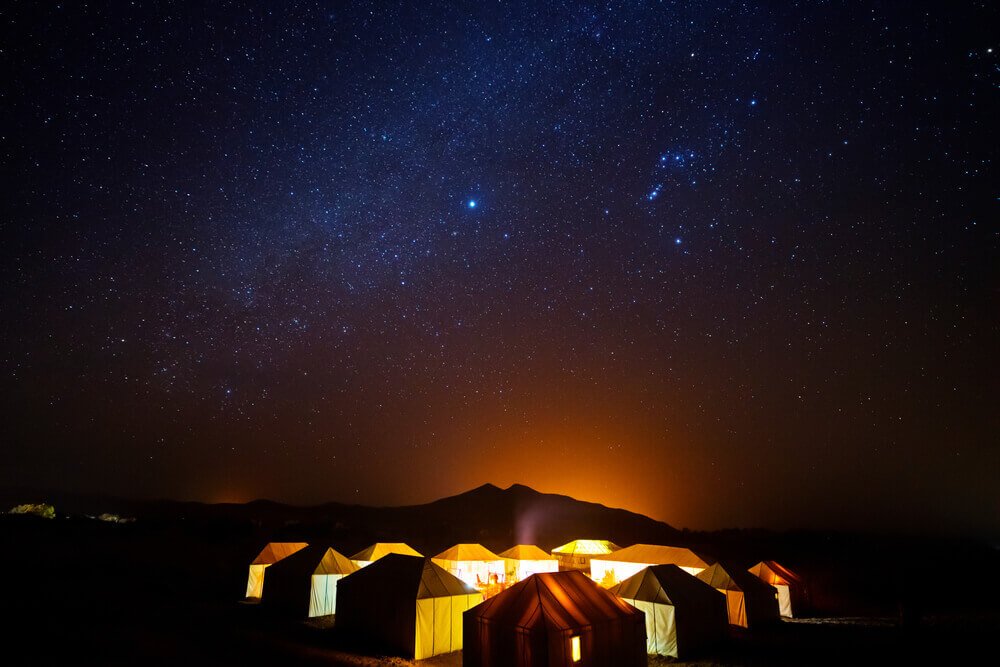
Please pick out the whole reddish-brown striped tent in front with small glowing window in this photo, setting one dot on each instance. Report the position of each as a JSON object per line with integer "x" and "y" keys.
{"x": 554, "y": 619}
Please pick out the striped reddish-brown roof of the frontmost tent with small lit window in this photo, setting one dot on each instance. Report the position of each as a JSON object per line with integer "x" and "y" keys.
{"x": 553, "y": 600}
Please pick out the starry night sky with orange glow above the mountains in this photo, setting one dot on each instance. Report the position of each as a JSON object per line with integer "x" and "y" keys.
{"x": 726, "y": 264}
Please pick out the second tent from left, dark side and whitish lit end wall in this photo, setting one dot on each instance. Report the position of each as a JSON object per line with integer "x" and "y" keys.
{"x": 305, "y": 583}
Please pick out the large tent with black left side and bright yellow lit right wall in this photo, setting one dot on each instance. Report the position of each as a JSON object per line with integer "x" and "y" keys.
{"x": 406, "y": 605}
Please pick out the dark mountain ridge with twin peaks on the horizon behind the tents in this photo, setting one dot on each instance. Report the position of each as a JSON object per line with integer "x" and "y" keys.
{"x": 497, "y": 518}
